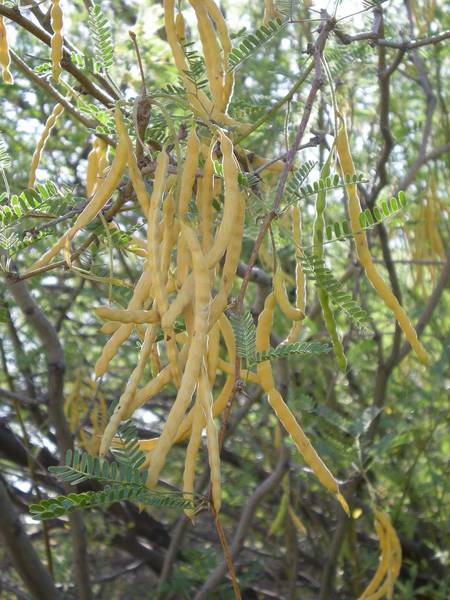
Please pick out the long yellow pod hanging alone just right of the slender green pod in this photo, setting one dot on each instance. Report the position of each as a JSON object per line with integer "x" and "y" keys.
{"x": 362, "y": 249}
